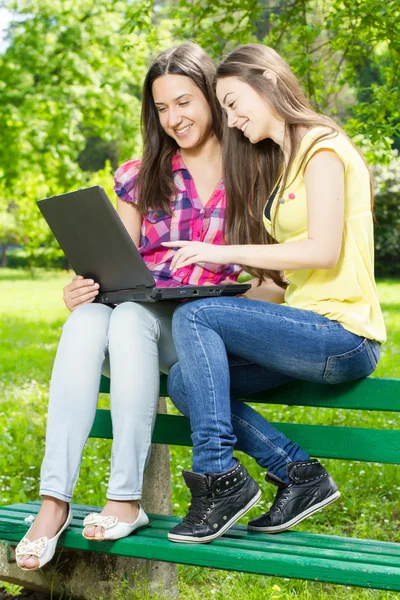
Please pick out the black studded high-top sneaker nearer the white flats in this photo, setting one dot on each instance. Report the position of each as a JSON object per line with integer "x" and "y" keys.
{"x": 218, "y": 501}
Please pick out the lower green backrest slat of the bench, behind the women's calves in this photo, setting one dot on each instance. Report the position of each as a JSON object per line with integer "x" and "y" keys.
{"x": 348, "y": 443}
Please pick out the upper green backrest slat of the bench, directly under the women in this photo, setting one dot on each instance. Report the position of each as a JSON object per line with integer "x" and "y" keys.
{"x": 365, "y": 394}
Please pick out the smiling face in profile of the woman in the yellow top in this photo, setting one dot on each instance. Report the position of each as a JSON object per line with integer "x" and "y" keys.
{"x": 246, "y": 109}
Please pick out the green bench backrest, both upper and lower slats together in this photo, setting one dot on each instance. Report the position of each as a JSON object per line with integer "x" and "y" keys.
{"x": 322, "y": 441}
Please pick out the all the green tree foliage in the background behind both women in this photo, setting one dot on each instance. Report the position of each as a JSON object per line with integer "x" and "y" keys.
{"x": 71, "y": 77}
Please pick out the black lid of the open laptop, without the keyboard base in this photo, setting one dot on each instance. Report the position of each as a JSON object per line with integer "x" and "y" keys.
{"x": 94, "y": 239}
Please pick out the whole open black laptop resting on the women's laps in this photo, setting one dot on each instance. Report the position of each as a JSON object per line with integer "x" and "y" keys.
{"x": 97, "y": 245}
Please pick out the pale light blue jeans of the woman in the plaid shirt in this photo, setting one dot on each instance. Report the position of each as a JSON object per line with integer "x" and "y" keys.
{"x": 132, "y": 342}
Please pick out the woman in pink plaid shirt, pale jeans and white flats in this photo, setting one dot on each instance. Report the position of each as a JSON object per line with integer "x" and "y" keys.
{"x": 174, "y": 193}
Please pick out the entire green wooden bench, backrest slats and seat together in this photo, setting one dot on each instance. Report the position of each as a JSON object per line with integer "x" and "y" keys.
{"x": 323, "y": 558}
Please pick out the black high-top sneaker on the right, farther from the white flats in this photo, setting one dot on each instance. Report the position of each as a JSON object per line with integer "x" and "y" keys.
{"x": 310, "y": 489}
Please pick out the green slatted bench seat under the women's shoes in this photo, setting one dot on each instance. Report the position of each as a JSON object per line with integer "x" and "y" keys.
{"x": 238, "y": 550}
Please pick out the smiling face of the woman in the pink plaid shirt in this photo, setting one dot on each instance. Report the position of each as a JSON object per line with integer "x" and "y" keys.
{"x": 184, "y": 112}
